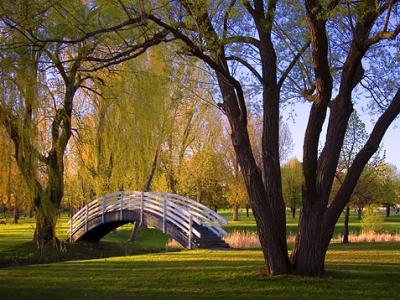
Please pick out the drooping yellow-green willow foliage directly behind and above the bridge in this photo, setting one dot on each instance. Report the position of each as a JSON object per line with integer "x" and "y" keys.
{"x": 121, "y": 139}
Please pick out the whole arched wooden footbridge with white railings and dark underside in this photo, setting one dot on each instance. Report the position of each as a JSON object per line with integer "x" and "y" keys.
{"x": 190, "y": 223}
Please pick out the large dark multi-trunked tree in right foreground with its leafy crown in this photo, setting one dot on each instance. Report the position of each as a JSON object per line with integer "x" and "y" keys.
{"x": 340, "y": 35}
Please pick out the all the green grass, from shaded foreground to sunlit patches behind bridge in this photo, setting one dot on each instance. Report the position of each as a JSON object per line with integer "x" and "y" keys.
{"x": 115, "y": 269}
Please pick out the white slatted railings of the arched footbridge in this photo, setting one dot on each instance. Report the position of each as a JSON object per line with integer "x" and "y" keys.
{"x": 182, "y": 212}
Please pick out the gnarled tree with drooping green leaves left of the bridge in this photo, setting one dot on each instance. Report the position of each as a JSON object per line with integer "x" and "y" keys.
{"x": 44, "y": 62}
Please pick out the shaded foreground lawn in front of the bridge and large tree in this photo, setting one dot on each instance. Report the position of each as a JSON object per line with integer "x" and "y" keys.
{"x": 362, "y": 272}
